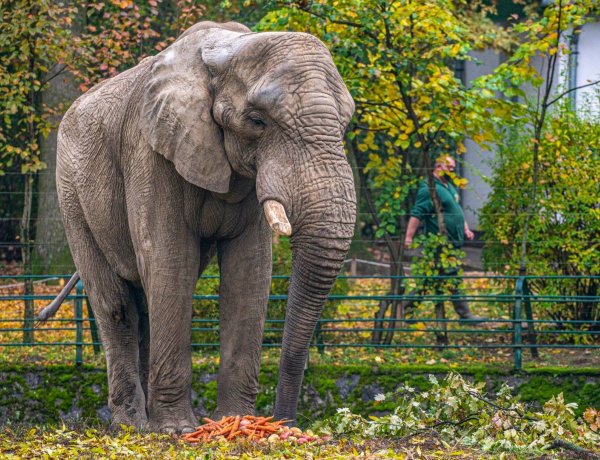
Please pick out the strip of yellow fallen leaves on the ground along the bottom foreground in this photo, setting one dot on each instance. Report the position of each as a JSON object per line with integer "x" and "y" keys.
{"x": 97, "y": 443}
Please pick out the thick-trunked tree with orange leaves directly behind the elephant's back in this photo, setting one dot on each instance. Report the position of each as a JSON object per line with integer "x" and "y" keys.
{"x": 106, "y": 38}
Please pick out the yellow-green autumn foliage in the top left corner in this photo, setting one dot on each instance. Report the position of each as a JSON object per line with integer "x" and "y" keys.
{"x": 33, "y": 37}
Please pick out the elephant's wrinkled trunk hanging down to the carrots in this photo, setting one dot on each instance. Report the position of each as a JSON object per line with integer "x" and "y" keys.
{"x": 321, "y": 235}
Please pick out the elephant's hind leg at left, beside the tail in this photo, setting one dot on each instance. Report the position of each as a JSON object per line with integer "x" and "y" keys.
{"x": 115, "y": 308}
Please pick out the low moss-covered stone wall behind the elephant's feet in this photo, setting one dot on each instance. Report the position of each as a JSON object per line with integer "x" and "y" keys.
{"x": 47, "y": 394}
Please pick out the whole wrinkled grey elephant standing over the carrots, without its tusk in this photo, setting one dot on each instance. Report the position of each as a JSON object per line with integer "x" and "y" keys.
{"x": 170, "y": 162}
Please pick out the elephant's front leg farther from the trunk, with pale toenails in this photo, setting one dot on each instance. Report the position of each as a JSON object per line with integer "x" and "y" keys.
{"x": 169, "y": 285}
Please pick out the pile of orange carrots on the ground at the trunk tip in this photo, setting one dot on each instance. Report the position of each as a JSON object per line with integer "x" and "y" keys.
{"x": 248, "y": 426}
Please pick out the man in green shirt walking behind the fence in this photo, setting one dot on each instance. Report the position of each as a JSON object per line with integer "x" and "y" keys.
{"x": 423, "y": 212}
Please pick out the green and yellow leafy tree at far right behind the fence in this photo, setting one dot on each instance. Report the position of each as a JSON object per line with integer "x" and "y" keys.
{"x": 542, "y": 214}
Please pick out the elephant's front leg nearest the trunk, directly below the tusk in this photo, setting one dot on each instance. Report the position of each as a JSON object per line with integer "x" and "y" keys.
{"x": 245, "y": 264}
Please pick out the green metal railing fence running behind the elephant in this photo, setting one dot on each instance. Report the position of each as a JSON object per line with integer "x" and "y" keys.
{"x": 527, "y": 313}
